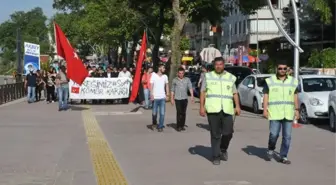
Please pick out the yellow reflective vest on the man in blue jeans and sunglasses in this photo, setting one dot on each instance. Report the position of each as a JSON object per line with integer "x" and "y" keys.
{"x": 281, "y": 98}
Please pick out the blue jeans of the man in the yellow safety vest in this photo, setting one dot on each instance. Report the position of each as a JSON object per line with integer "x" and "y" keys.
{"x": 275, "y": 126}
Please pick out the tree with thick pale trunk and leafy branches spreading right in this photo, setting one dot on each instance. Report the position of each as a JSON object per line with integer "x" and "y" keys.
{"x": 198, "y": 11}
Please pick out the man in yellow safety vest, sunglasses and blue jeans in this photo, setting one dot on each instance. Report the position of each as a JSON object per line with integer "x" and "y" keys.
{"x": 281, "y": 108}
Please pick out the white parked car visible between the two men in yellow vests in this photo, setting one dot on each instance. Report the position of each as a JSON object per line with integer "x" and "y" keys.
{"x": 250, "y": 91}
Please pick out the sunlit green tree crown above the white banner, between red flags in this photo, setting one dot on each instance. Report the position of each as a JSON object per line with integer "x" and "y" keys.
{"x": 102, "y": 24}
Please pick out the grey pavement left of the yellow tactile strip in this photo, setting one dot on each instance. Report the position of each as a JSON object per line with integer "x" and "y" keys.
{"x": 41, "y": 146}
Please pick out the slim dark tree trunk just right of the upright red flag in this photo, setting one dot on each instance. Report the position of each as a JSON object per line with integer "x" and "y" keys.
{"x": 158, "y": 33}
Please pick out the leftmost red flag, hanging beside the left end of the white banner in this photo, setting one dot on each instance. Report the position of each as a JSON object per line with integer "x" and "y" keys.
{"x": 76, "y": 70}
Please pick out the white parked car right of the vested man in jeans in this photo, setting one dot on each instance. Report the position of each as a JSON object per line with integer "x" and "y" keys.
{"x": 313, "y": 96}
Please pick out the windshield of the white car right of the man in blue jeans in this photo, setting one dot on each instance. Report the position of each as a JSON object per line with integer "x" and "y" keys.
{"x": 319, "y": 84}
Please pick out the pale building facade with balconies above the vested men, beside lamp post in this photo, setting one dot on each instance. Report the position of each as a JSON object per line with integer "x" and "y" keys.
{"x": 248, "y": 30}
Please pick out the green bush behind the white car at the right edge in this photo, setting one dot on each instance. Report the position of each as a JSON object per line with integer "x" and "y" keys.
{"x": 326, "y": 57}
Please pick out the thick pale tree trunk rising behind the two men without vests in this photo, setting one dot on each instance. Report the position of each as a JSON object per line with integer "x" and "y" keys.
{"x": 179, "y": 22}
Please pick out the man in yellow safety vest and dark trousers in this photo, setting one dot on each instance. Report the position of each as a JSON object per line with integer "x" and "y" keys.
{"x": 217, "y": 100}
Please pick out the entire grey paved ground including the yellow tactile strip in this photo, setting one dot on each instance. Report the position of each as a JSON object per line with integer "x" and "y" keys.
{"x": 43, "y": 146}
